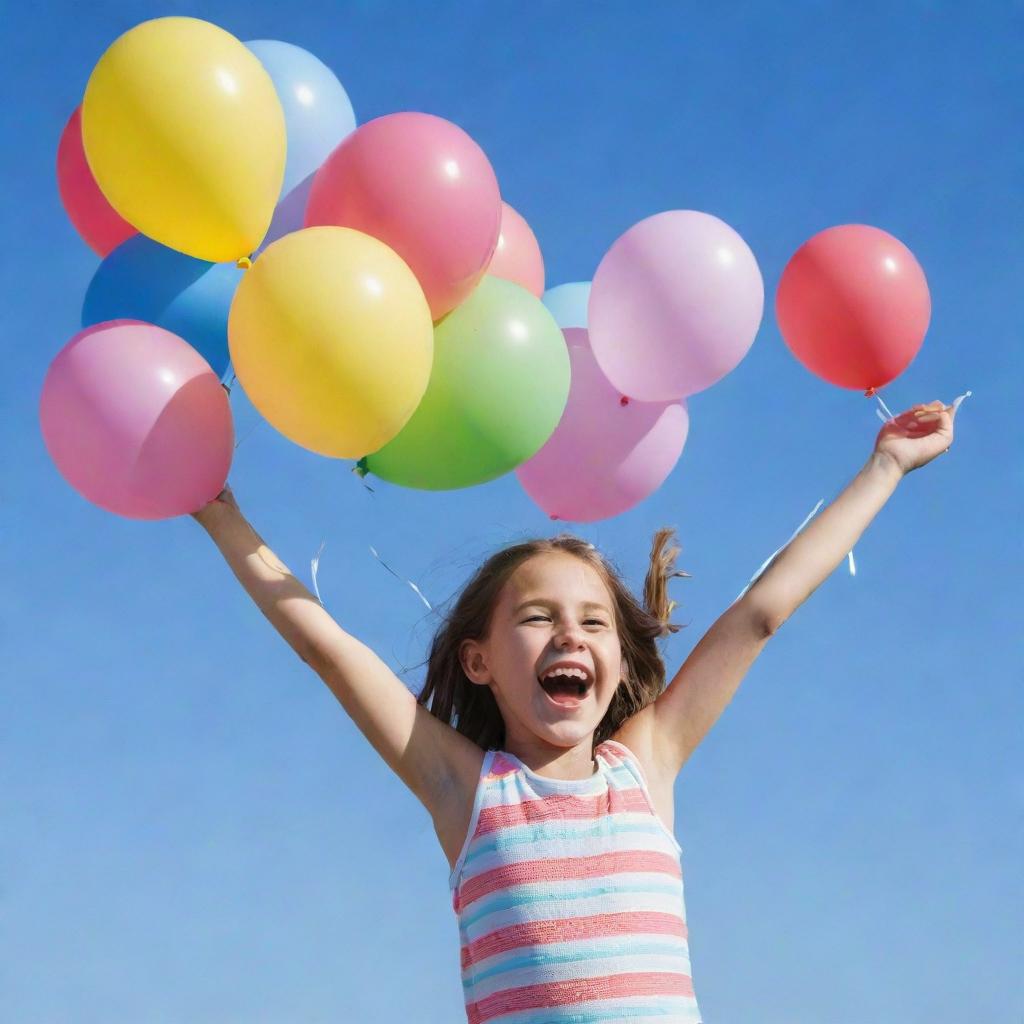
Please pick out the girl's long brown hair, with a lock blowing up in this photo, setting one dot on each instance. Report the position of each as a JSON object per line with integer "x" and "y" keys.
{"x": 474, "y": 711}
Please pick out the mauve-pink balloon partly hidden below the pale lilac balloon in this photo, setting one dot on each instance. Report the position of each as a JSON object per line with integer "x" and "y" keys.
{"x": 609, "y": 452}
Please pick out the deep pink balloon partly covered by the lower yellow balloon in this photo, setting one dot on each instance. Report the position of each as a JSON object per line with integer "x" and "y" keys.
{"x": 424, "y": 188}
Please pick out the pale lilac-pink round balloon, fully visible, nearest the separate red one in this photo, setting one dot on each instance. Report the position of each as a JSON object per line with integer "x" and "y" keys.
{"x": 675, "y": 306}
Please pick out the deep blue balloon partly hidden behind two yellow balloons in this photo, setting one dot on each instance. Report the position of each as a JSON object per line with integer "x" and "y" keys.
{"x": 143, "y": 280}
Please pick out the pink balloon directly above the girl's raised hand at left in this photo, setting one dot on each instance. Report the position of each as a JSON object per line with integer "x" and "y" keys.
{"x": 137, "y": 421}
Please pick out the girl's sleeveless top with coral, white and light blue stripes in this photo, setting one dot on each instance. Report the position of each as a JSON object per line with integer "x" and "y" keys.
{"x": 570, "y": 900}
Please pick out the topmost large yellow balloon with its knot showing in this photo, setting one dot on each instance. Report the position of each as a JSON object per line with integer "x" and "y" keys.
{"x": 185, "y": 135}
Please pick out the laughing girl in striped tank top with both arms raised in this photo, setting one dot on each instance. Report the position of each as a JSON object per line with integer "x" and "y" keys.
{"x": 550, "y": 748}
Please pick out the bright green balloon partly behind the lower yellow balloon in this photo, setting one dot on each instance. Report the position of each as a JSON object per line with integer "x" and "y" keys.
{"x": 498, "y": 389}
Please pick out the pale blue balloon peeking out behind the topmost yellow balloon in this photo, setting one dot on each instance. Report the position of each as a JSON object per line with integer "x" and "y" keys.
{"x": 318, "y": 112}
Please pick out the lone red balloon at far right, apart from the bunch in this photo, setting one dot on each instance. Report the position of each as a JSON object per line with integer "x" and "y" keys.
{"x": 854, "y": 307}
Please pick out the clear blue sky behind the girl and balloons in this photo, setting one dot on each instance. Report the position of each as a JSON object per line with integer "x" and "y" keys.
{"x": 191, "y": 828}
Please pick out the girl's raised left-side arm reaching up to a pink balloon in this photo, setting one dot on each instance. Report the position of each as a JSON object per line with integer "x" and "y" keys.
{"x": 418, "y": 747}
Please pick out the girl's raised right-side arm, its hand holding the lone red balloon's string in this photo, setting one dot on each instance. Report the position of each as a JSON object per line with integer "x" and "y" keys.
{"x": 705, "y": 686}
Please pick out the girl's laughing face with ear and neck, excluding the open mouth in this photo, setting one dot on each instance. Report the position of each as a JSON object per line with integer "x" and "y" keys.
{"x": 554, "y": 609}
